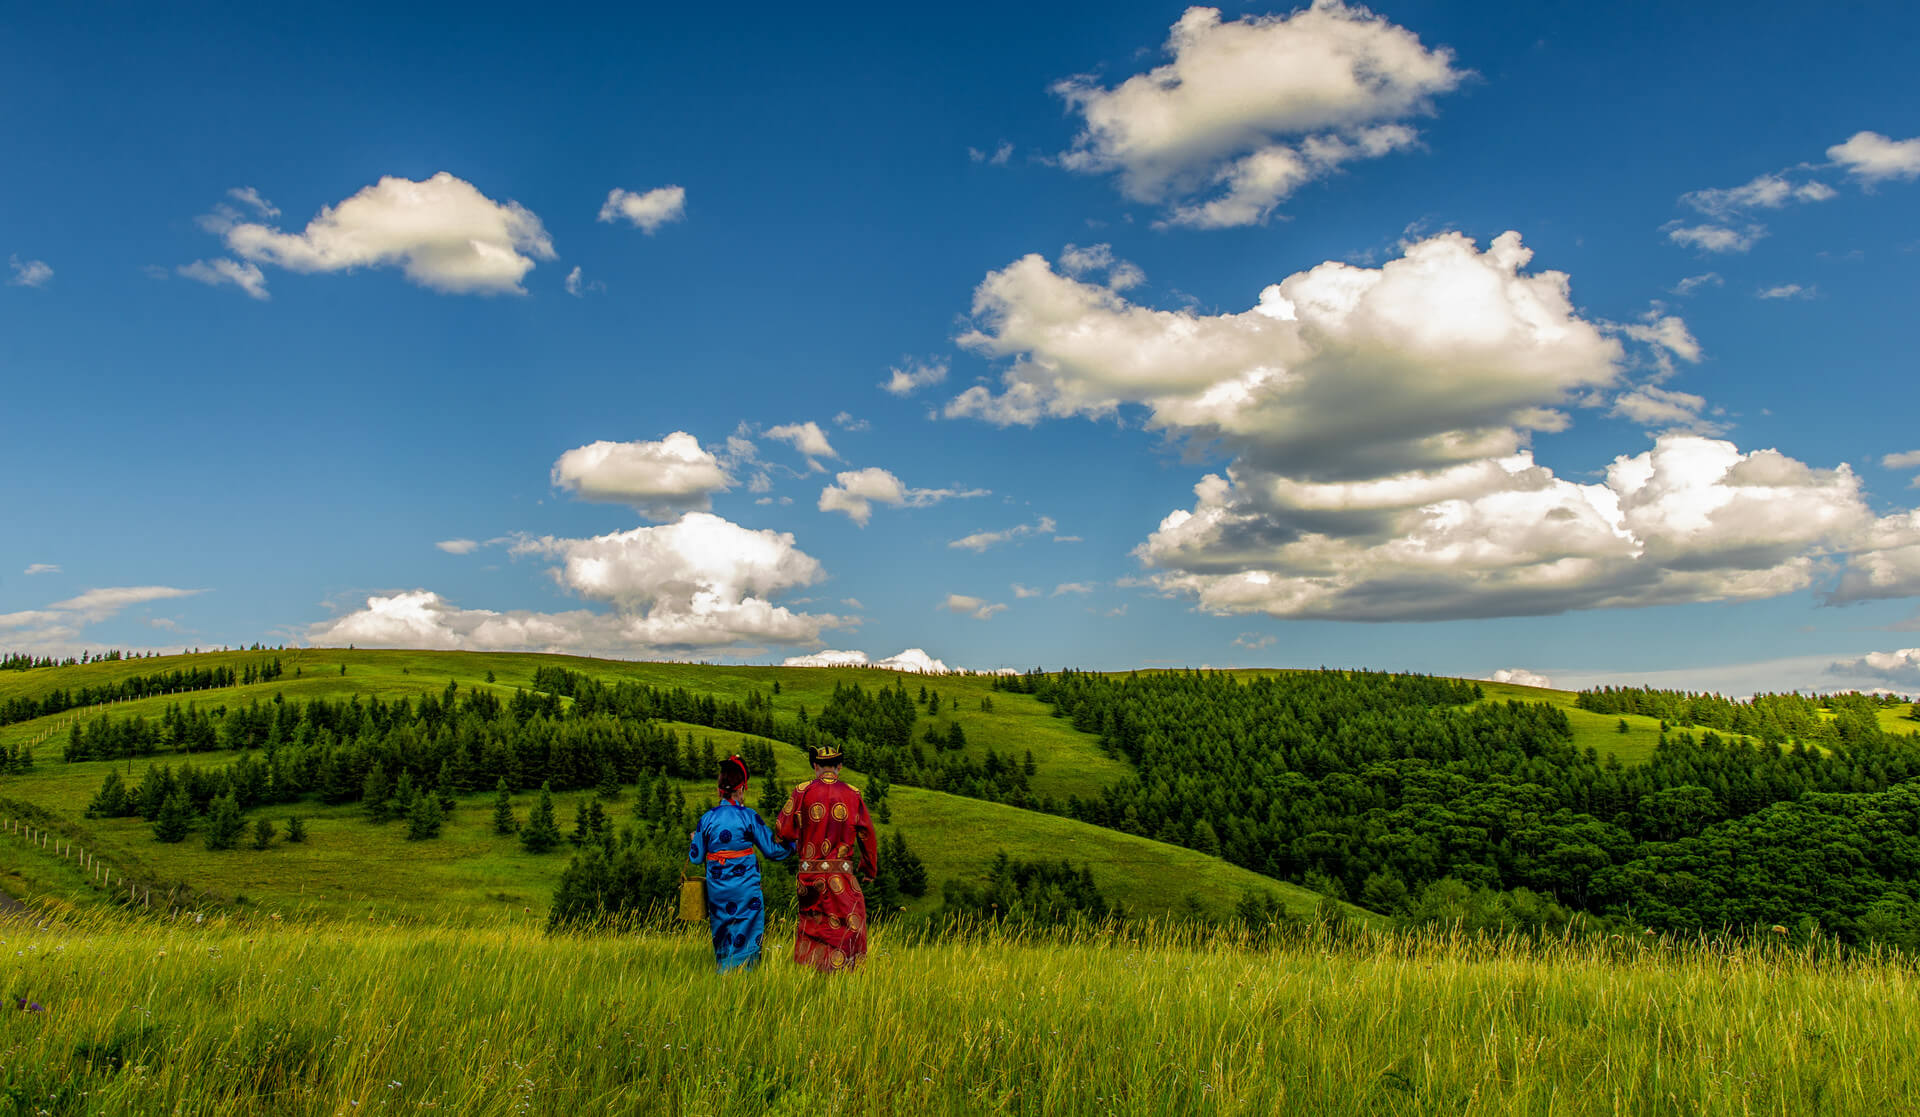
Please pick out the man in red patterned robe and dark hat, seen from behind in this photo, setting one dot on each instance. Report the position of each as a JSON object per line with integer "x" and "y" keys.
{"x": 828, "y": 824}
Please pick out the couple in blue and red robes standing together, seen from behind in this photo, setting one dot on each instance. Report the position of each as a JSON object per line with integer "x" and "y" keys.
{"x": 827, "y": 824}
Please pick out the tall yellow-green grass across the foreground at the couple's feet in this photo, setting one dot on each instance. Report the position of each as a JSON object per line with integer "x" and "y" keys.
{"x": 224, "y": 1016}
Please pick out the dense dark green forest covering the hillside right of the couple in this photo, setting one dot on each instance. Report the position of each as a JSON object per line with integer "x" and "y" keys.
{"x": 1383, "y": 788}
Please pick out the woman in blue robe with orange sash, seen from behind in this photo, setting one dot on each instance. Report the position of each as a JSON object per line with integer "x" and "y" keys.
{"x": 727, "y": 838}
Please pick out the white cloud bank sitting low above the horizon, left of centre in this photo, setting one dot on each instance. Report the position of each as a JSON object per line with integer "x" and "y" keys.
{"x": 692, "y": 586}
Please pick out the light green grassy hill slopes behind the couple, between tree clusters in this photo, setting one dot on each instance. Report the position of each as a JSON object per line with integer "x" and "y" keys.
{"x": 350, "y": 868}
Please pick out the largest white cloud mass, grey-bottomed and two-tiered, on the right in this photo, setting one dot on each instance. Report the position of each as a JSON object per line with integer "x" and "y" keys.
{"x": 1380, "y": 431}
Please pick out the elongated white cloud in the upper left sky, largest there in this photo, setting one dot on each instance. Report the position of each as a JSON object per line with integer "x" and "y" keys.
{"x": 443, "y": 233}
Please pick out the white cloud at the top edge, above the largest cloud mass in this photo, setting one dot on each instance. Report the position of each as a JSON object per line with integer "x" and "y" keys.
{"x": 1247, "y": 112}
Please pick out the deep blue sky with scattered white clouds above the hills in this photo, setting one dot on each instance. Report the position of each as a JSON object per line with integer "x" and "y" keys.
{"x": 1458, "y": 339}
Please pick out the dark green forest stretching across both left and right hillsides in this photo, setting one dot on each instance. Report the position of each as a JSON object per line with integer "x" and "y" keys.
{"x": 1408, "y": 796}
